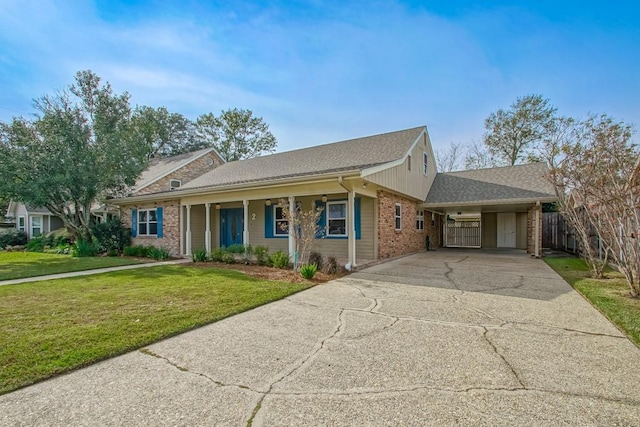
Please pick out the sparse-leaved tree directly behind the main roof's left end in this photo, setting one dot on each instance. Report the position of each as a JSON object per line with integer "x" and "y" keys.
{"x": 236, "y": 134}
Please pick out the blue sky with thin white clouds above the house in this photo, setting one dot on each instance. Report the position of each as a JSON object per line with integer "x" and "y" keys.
{"x": 321, "y": 71}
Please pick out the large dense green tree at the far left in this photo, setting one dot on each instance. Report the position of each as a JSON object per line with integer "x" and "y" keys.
{"x": 76, "y": 151}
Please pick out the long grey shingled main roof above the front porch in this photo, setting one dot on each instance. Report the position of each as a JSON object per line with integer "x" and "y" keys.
{"x": 351, "y": 155}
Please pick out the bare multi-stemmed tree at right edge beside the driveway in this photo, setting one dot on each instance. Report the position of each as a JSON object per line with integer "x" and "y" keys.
{"x": 598, "y": 189}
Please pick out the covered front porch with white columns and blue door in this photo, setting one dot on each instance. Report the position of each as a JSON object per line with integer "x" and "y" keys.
{"x": 255, "y": 217}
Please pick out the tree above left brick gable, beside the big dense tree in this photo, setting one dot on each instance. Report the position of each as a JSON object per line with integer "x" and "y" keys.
{"x": 164, "y": 133}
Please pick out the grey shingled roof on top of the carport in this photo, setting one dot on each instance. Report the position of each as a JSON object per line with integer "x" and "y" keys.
{"x": 510, "y": 184}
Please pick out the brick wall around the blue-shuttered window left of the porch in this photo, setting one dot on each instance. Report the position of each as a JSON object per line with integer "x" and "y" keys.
{"x": 170, "y": 226}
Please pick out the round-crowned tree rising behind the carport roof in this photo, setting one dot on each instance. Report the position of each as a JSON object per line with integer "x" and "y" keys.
{"x": 511, "y": 135}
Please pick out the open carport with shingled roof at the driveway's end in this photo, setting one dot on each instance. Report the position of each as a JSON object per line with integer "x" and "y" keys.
{"x": 492, "y": 208}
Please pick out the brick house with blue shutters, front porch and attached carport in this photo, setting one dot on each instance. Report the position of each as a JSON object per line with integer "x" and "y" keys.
{"x": 373, "y": 192}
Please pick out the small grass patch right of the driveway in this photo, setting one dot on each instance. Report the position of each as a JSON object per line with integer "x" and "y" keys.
{"x": 610, "y": 295}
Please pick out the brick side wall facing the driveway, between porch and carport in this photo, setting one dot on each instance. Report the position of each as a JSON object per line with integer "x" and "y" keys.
{"x": 408, "y": 239}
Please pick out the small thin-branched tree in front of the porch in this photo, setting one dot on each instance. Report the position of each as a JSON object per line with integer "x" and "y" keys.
{"x": 304, "y": 227}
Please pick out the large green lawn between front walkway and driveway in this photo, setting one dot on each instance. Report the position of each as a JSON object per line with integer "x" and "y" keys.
{"x": 55, "y": 326}
